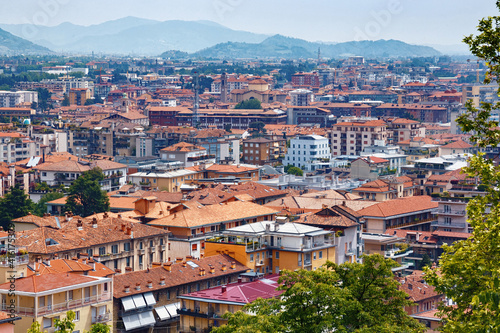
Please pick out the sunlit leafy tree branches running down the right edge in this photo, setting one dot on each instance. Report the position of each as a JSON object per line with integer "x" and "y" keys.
{"x": 469, "y": 270}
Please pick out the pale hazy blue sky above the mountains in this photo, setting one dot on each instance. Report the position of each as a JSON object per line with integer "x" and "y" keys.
{"x": 412, "y": 21}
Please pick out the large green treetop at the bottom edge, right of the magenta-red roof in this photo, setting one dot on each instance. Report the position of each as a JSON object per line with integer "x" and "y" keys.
{"x": 351, "y": 297}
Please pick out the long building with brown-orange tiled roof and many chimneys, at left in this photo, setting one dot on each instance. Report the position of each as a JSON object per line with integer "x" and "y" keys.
{"x": 115, "y": 242}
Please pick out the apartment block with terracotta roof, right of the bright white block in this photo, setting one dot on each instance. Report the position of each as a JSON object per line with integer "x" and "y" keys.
{"x": 351, "y": 138}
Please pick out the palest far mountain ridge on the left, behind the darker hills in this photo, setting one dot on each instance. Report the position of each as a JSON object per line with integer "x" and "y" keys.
{"x": 131, "y": 35}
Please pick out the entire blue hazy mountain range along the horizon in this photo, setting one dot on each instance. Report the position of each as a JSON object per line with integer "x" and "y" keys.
{"x": 202, "y": 39}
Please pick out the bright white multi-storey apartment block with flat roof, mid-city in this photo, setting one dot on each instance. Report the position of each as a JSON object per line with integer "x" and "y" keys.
{"x": 307, "y": 148}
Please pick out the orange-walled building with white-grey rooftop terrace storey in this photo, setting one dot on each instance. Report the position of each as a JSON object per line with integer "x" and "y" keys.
{"x": 270, "y": 246}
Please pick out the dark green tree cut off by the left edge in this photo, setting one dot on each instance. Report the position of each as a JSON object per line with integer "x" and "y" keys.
{"x": 14, "y": 204}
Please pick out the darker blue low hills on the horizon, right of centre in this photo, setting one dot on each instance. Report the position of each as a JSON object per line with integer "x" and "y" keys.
{"x": 285, "y": 47}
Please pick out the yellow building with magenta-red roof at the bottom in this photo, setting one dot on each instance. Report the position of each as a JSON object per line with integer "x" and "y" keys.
{"x": 202, "y": 310}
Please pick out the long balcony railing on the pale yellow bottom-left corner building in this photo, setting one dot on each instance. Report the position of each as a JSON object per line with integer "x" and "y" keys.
{"x": 59, "y": 307}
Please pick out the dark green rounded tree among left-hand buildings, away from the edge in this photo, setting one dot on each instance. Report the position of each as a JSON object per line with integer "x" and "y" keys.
{"x": 85, "y": 195}
